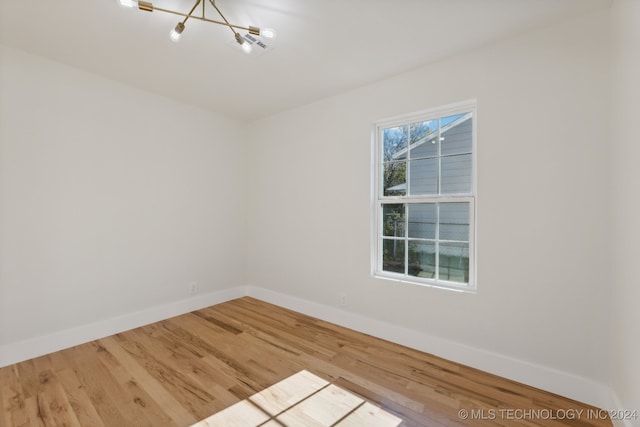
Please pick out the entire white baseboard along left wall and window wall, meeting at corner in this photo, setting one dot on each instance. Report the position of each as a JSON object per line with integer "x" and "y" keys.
{"x": 545, "y": 378}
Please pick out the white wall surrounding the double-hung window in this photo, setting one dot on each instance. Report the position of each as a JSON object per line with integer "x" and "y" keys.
{"x": 543, "y": 293}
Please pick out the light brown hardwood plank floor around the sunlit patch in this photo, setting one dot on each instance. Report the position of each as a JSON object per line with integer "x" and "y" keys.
{"x": 181, "y": 371}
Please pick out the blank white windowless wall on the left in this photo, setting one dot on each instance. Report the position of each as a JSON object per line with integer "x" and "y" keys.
{"x": 112, "y": 200}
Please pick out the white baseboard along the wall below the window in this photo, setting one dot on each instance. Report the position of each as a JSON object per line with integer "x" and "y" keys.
{"x": 545, "y": 378}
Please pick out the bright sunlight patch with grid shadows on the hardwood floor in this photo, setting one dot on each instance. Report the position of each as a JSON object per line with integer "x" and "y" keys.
{"x": 303, "y": 399}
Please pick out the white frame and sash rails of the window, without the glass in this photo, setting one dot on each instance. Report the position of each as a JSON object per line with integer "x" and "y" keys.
{"x": 378, "y": 199}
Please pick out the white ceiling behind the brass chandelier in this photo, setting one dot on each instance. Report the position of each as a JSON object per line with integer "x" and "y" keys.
{"x": 323, "y": 47}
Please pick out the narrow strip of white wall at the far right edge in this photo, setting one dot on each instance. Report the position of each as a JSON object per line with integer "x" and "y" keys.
{"x": 626, "y": 205}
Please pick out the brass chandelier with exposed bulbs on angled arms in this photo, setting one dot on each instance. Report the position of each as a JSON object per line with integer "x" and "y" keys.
{"x": 176, "y": 33}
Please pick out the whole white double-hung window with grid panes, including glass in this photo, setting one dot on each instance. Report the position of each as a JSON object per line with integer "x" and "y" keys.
{"x": 424, "y": 200}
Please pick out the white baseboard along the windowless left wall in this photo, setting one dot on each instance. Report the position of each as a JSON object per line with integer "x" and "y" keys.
{"x": 38, "y": 346}
